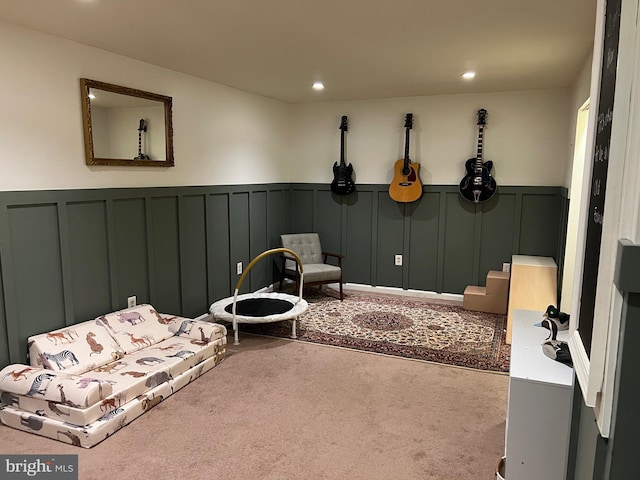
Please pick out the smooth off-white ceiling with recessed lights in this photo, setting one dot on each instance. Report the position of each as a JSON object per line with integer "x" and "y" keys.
{"x": 360, "y": 49}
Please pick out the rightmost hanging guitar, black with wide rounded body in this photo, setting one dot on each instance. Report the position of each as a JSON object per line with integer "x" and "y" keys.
{"x": 478, "y": 185}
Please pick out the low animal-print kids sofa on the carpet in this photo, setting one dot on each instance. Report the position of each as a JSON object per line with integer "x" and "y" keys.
{"x": 88, "y": 380}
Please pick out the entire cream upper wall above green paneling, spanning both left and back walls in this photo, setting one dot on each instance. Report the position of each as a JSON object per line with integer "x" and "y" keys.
{"x": 226, "y": 136}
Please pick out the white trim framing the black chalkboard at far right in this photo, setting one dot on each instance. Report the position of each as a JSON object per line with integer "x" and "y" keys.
{"x": 596, "y": 374}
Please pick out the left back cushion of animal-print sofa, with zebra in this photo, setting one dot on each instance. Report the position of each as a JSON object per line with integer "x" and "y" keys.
{"x": 74, "y": 349}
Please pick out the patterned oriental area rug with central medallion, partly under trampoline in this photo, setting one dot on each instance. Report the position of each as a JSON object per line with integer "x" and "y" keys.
{"x": 399, "y": 326}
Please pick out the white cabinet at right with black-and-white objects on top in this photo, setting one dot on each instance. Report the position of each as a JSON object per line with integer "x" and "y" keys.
{"x": 540, "y": 399}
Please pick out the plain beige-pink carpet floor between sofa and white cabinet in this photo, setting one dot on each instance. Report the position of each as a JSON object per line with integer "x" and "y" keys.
{"x": 279, "y": 409}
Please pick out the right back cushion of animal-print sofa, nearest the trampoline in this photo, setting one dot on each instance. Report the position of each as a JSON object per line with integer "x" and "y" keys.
{"x": 137, "y": 327}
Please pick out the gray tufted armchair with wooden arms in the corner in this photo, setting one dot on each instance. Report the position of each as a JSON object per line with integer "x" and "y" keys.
{"x": 316, "y": 270}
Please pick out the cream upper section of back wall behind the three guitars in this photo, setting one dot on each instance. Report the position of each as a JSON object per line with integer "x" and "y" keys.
{"x": 527, "y": 137}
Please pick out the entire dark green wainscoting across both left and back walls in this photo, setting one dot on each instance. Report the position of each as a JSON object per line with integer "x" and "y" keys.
{"x": 70, "y": 255}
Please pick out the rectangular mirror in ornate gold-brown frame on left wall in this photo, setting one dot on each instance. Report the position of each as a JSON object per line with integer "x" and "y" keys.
{"x": 126, "y": 127}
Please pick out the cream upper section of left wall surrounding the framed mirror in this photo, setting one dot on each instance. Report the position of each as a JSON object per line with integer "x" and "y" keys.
{"x": 221, "y": 135}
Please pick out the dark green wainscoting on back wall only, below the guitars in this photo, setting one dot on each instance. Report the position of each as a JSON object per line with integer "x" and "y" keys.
{"x": 447, "y": 243}
